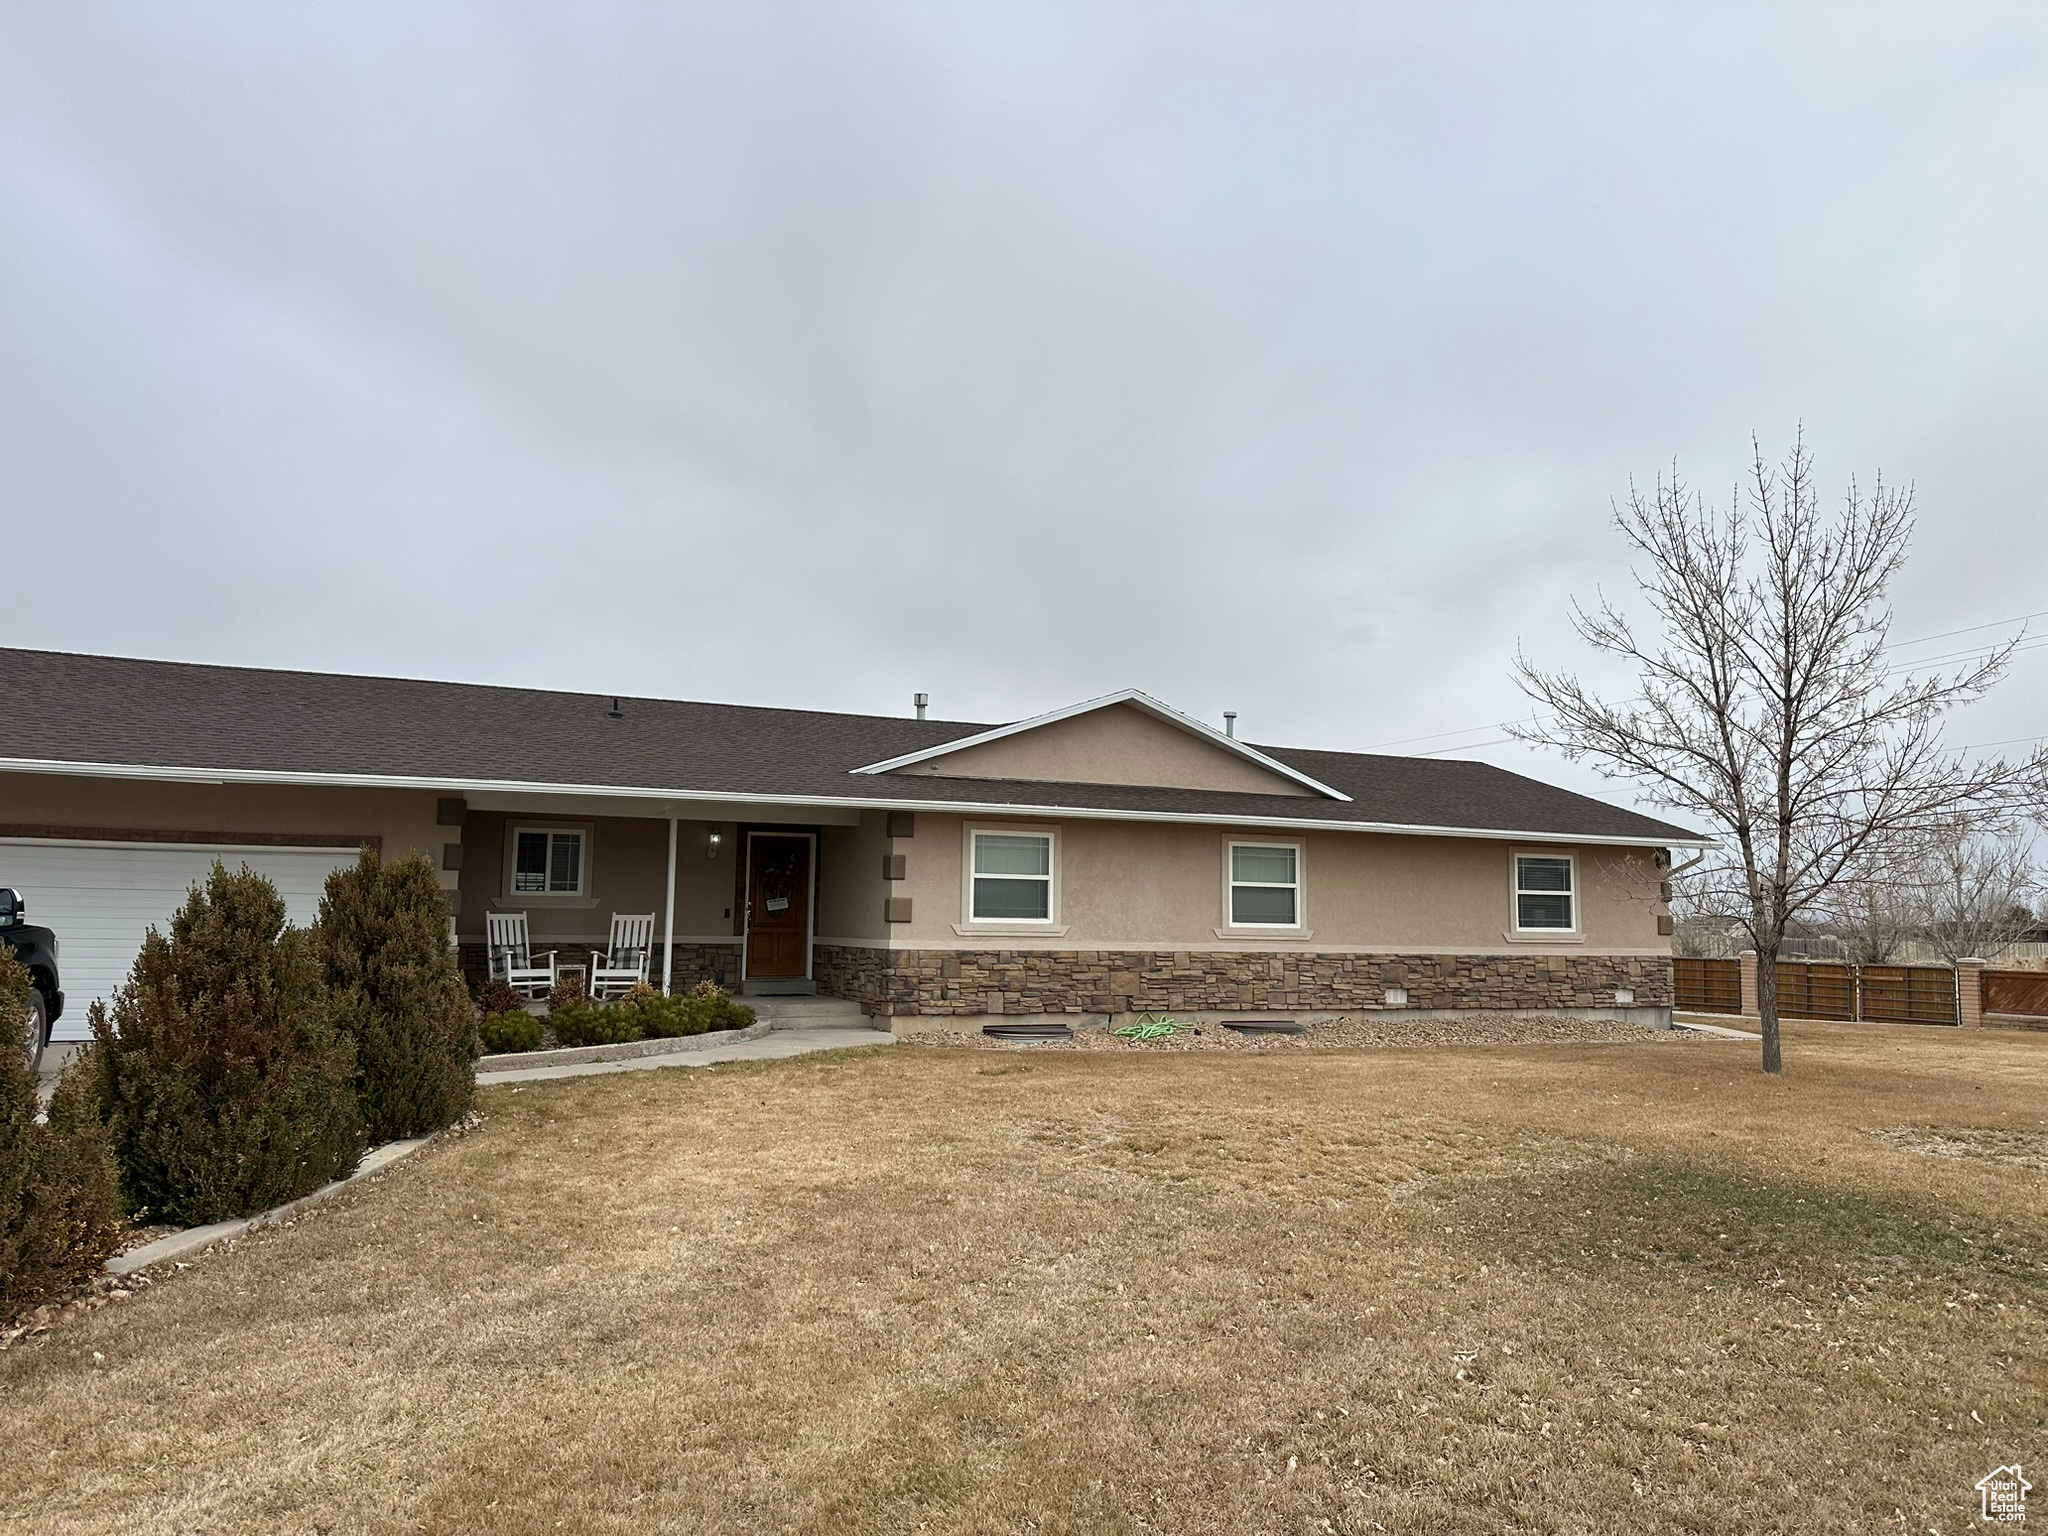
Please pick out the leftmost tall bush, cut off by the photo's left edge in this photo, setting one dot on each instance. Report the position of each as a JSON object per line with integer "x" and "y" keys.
{"x": 60, "y": 1193}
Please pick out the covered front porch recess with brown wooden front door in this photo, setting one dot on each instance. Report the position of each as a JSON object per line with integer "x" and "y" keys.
{"x": 740, "y": 896}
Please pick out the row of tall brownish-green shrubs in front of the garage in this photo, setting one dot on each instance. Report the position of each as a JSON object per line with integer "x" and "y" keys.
{"x": 243, "y": 1064}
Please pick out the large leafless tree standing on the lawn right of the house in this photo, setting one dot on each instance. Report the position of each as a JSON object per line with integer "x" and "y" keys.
{"x": 1764, "y": 706}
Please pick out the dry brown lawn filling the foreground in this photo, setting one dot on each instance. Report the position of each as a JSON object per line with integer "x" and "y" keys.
{"x": 1549, "y": 1289}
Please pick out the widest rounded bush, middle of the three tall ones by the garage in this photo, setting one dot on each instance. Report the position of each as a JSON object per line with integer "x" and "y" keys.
{"x": 220, "y": 1074}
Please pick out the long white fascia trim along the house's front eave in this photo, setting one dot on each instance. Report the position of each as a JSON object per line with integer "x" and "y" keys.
{"x": 826, "y": 802}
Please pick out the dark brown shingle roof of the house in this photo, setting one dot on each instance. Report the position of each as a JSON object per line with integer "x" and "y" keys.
{"x": 95, "y": 710}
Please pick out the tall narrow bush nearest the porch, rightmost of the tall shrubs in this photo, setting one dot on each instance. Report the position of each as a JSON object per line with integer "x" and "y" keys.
{"x": 398, "y": 994}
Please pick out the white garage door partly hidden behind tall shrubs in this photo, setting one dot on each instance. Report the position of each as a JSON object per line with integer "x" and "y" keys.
{"x": 101, "y": 898}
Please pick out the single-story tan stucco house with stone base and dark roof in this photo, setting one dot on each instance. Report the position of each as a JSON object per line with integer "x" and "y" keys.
{"x": 1113, "y": 857}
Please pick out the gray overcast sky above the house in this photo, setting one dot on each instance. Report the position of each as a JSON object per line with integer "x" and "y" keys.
{"x": 1265, "y": 357}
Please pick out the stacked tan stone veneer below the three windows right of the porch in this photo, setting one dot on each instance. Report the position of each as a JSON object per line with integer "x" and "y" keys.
{"x": 1101, "y": 982}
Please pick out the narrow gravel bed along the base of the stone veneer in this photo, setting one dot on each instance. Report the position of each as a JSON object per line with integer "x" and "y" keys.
{"x": 1345, "y": 1033}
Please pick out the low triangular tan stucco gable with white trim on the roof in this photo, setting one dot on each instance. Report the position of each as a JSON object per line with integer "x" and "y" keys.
{"x": 1125, "y": 738}
